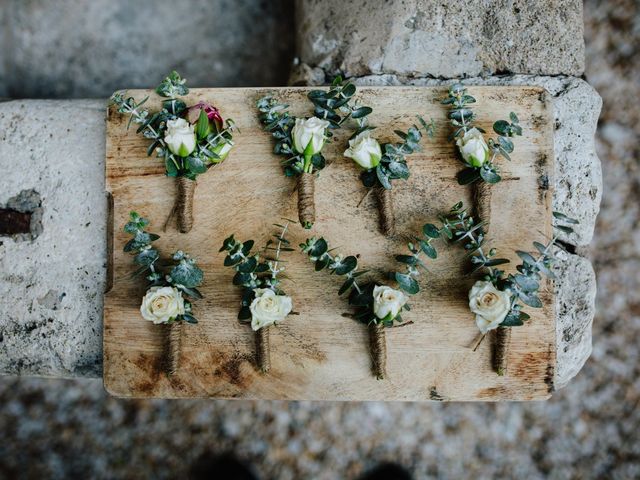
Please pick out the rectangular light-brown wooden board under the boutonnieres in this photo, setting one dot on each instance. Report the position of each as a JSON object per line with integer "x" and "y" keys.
{"x": 319, "y": 354}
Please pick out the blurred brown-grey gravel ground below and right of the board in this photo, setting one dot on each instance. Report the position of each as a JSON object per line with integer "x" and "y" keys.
{"x": 57, "y": 429}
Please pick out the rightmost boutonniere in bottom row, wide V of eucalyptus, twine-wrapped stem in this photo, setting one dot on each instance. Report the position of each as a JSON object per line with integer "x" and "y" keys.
{"x": 497, "y": 299}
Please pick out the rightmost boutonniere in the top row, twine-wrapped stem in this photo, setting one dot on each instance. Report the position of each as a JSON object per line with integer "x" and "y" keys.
{"x": 479, "y": 155}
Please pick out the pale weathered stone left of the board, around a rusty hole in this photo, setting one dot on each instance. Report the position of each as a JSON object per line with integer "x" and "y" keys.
{"x": 51, "y": 285}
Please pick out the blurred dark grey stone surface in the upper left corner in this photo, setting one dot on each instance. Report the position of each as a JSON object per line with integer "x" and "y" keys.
{"x": 57, "y": 48}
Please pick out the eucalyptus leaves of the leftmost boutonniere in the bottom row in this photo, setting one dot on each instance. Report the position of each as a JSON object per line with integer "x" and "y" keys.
{"x": 183, "y": 274}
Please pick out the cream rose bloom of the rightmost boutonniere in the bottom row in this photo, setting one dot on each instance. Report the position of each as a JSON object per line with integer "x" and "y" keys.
{"x": 489, "y": 304}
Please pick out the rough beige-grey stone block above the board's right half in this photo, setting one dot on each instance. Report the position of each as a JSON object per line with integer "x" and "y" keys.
{"x": 442, "y": 39}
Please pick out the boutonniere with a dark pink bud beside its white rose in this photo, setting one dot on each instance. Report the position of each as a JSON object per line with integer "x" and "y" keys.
{"x": 189, "y": 139}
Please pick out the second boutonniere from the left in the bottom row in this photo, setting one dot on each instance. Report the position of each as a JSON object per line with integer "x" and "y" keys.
{"x": 263, "y": 303}
